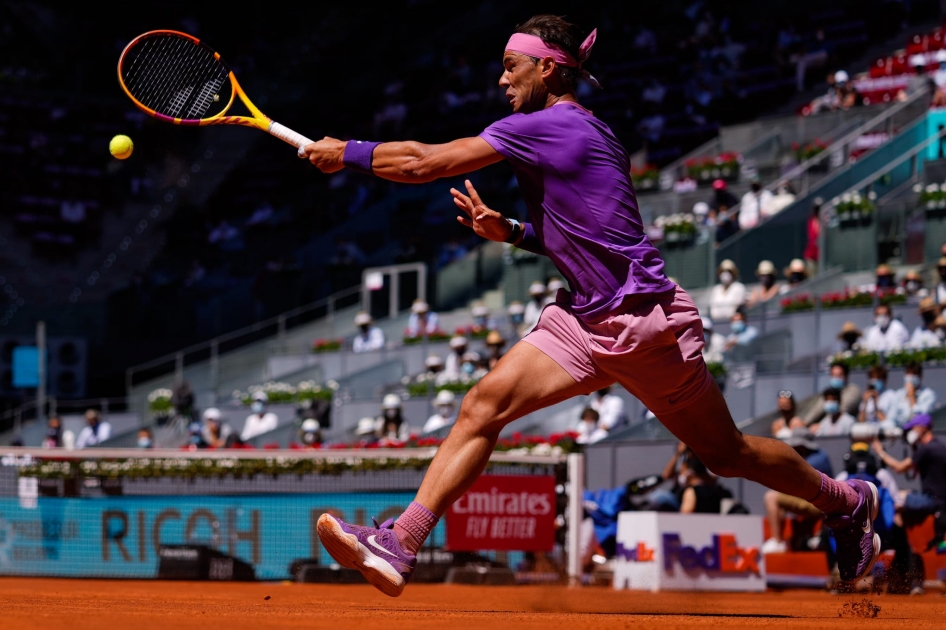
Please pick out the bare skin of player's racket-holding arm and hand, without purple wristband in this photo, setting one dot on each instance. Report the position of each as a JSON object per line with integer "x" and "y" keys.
{"x": 409, "y": 162}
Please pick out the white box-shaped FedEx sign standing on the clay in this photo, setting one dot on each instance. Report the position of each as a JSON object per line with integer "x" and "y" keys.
{"x": 707, "y": 552}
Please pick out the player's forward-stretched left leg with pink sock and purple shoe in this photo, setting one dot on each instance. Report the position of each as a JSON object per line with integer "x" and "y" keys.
{"x": 524, "y": 380}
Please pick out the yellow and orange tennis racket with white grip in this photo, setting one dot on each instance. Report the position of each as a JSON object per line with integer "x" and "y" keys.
{"x": 179, "y": 79}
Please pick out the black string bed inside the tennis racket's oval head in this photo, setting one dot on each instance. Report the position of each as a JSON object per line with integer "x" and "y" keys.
{"x": 174, "y": 76}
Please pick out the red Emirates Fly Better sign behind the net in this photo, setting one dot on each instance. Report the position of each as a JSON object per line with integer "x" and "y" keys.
{"x": 504, "y": 513}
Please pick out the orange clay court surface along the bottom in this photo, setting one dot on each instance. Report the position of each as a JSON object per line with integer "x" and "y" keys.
{"x": 141, "y": 605}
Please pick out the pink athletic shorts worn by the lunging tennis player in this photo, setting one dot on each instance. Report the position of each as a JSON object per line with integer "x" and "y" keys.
{"x": 652, "y": 345}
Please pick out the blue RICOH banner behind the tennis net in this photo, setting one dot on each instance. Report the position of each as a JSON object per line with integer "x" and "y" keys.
{"x": 119, "y": 536}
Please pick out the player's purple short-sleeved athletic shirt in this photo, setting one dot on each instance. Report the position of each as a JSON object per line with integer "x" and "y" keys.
{"x": 575, "y": 178}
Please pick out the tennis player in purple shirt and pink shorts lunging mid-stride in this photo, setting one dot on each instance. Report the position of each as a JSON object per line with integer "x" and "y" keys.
{"x": 623, "y": 320}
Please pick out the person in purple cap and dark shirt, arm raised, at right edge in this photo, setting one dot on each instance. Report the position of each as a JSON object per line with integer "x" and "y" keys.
{"x": 929, "y": 462}
